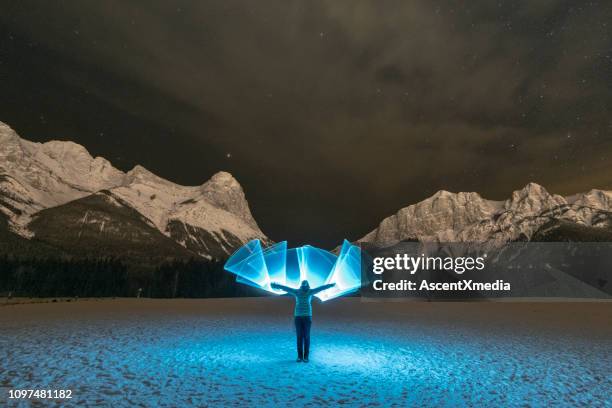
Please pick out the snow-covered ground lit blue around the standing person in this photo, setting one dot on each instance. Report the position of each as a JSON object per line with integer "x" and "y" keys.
{"x": 240, "y": 352}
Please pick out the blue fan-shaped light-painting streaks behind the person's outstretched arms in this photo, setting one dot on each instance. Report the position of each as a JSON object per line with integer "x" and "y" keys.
{"x": 257, "y": 267}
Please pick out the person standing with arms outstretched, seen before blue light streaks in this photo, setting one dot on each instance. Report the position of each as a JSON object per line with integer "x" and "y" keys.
{"x": 303, "y": 314}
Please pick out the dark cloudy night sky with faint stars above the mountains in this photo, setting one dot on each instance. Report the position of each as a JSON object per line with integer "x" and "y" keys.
{"x": 331, "y": 114}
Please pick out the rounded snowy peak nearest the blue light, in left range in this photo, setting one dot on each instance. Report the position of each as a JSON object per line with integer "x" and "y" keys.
{"x": 211, "y": 220}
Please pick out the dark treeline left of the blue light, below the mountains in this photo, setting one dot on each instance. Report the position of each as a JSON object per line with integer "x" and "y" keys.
{"x": 110, "y": 277}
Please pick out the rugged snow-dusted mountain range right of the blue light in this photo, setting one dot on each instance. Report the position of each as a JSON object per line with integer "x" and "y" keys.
{"x": 467, "y": 217}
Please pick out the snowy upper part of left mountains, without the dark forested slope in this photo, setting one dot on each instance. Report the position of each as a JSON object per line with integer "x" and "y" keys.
{"x": 211, "y": 220}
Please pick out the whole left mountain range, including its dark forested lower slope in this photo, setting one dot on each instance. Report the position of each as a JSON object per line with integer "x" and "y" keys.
{"x": 56, "y": 195}
